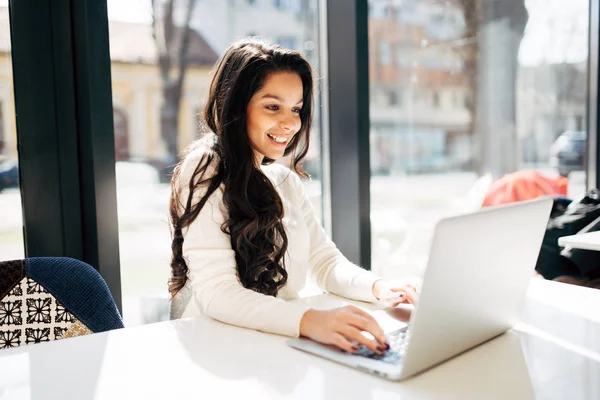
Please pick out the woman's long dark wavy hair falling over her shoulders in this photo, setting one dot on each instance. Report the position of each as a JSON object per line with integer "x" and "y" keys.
{"x": 254, "y": 208}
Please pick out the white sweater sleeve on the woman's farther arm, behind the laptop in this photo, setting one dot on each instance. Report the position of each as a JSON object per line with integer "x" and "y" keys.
{"x": 329, "y": 268}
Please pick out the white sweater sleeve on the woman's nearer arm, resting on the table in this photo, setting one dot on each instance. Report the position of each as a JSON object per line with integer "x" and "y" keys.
{"x": 213, "y": 274}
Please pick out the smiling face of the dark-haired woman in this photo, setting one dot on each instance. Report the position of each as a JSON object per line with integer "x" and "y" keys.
{"x": 273, "y": 115}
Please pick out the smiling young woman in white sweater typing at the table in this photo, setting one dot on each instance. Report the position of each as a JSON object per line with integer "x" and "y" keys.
{"x": 244, "y": 233}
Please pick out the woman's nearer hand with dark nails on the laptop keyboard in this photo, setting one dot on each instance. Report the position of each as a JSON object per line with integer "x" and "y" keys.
{"x": 343, "y": 327}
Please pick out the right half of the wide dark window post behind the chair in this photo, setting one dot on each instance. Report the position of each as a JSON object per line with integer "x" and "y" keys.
{"x": 94, "y": 116}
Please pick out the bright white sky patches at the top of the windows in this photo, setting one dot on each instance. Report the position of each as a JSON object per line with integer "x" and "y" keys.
{"x": 557, "y": 30}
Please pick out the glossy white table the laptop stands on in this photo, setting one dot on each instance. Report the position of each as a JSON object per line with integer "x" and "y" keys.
{"x": 556, "y": 354}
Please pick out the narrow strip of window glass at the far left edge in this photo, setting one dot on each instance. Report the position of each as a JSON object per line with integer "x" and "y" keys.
{"x": 11, "y": 227}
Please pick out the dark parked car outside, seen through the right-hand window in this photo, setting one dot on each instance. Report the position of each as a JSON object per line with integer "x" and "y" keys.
{"x": 567, "y": 153}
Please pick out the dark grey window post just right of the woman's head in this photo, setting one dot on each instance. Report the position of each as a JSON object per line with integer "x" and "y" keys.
{"x": 348, "y": 93}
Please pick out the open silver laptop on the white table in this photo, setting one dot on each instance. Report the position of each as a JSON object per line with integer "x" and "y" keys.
{"x": 473, "y": 290}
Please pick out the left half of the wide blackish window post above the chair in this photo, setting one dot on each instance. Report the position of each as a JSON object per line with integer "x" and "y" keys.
{"x": 37, "y": 127}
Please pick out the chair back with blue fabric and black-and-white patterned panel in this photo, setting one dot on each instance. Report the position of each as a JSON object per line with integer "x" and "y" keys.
{"x": 51, "y": 298}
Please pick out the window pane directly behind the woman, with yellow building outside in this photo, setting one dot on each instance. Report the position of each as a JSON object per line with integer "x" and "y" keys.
{"x": 145, "y": 146}
